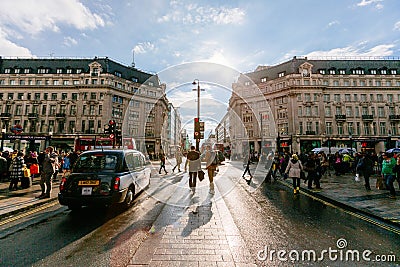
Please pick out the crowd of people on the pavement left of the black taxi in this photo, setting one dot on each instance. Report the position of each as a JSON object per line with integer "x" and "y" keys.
{"x": 20, "y": 169}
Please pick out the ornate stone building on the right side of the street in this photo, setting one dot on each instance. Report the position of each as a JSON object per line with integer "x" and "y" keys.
{"x": 314, "y": 103}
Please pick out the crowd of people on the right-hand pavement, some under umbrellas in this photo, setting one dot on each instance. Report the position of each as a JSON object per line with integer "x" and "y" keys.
{"x": 311, "y": 167}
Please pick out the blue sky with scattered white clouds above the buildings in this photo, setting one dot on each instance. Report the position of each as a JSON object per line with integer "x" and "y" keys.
{"x": 239, "y": 35}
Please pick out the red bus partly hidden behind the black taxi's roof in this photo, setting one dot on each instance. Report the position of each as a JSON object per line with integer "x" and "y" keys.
{"x": 91, "y": 143}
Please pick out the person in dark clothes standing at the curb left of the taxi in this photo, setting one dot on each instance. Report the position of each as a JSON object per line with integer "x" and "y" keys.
{"x": 50, "y": 161}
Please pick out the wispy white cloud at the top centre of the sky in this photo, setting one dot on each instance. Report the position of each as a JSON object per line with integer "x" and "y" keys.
{"x": 195, "y": 14}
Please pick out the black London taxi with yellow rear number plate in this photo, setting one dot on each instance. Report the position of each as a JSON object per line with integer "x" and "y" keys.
{"x": 105, "y": 177}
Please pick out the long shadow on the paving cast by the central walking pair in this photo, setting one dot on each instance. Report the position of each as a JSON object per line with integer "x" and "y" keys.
{"x": 199, "y": 217}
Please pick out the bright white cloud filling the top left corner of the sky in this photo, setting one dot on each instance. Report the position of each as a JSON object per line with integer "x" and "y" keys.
{"x": 35, "y": 17}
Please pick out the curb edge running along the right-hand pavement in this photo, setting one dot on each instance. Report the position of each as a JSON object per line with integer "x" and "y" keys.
{"x": 344, "y": 205}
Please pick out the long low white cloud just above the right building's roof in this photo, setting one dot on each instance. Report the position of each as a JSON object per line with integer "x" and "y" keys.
{"x": 360, "y": 51}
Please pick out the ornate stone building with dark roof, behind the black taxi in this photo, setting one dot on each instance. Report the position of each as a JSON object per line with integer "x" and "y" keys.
{"x": 65, "y": 99}
